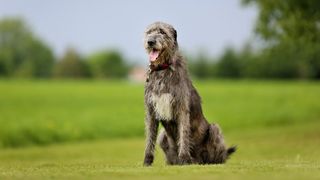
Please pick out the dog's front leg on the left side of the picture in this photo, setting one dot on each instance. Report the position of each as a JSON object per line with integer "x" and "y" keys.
{"x": 151, "y": 132}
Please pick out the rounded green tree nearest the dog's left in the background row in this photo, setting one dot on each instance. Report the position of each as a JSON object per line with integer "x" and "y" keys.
{"x": 108, "y": 64}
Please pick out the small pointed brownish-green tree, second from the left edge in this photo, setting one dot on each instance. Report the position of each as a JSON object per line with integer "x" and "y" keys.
{"x": 71, "y": 65}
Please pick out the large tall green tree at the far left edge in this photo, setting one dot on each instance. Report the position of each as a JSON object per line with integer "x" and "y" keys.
{"x": 21, "y": 53}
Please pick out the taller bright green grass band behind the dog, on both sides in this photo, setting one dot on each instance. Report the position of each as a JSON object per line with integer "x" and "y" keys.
{"x": 45, "y": 112}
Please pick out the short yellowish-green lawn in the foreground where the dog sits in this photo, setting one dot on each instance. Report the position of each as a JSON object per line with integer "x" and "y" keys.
{"x": 275, "y": 153}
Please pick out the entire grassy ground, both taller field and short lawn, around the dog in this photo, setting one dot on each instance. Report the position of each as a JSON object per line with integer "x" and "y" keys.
{"x": 94, "y": 129}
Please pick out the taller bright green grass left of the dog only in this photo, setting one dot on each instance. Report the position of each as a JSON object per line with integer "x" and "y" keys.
{"x": 45, "y": 112}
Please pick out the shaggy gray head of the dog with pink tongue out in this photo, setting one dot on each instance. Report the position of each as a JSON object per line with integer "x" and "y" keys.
{"x": 160, "y": 42}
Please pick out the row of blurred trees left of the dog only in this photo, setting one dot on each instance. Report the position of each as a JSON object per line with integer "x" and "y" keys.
{"x": 22, "y": 54}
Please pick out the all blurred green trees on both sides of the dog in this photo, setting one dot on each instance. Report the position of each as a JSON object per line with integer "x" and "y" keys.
{"x": 289, "y": 32}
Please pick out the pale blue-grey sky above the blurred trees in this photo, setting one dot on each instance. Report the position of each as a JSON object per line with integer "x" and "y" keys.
{"x": 90, "y": 25}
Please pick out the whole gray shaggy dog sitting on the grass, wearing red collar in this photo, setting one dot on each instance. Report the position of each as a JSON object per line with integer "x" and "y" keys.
{"x": 171, "y": 99}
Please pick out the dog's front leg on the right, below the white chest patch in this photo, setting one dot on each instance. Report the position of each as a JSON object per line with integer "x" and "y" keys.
{"x": 184, "y": 138}
